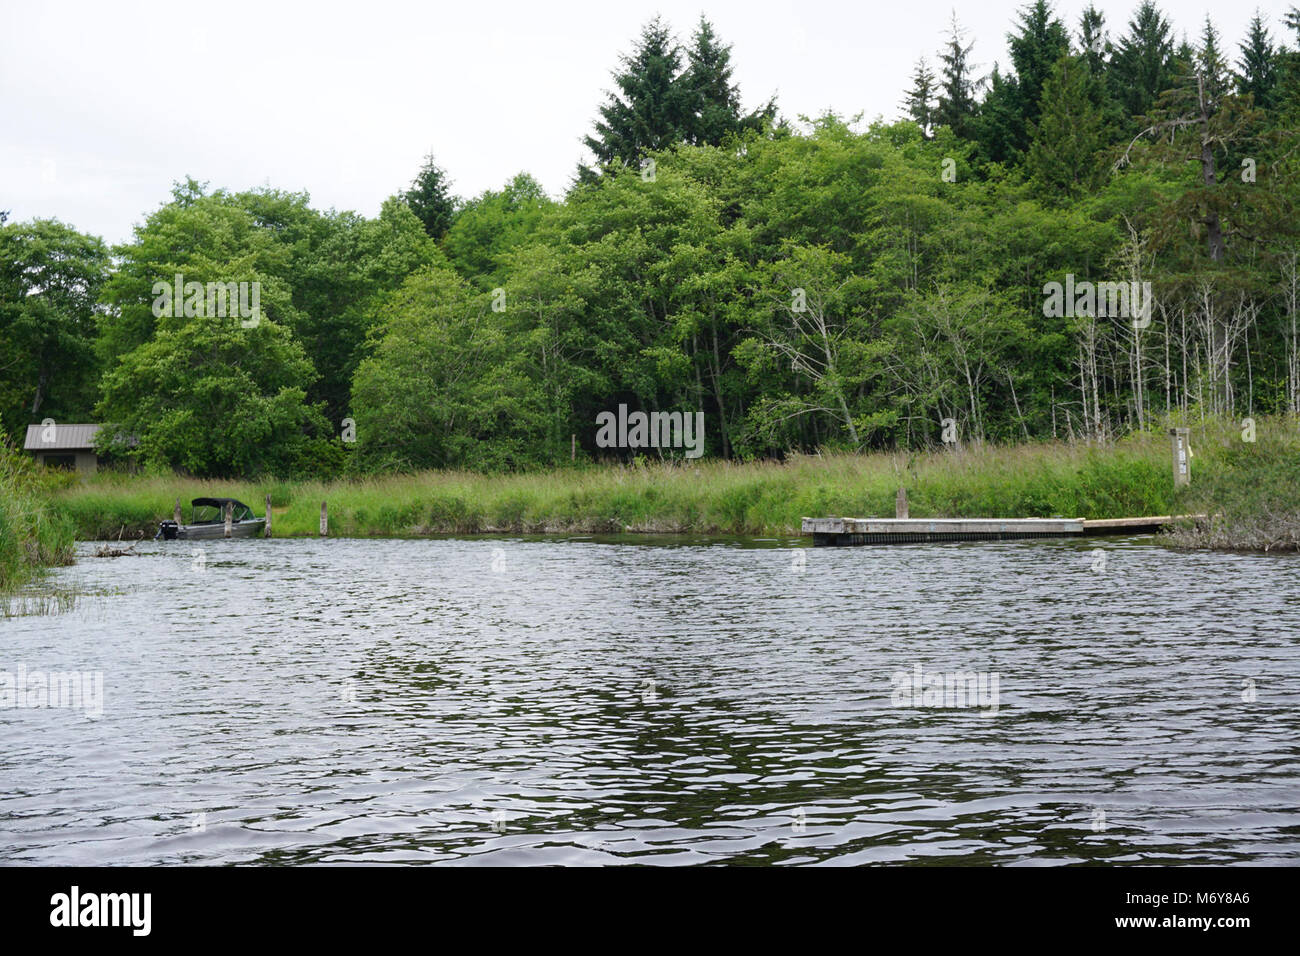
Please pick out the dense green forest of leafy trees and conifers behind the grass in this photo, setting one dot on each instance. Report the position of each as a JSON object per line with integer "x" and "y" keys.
{"x": 805, "y": 283}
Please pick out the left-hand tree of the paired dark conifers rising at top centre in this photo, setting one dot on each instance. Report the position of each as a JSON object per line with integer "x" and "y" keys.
{"x": 649, "y": 110}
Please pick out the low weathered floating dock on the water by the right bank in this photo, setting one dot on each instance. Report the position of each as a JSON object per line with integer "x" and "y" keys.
{"x": 896, "y": 531}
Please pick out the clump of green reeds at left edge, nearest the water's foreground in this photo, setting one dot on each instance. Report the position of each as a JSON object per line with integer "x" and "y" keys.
{"x": 33, "y": 533}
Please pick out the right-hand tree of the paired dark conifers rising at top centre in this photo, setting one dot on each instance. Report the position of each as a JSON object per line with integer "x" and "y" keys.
{"x": 713, "y": 102}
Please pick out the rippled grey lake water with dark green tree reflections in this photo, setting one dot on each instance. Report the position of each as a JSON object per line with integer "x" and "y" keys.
{"x": 658, "y": 702}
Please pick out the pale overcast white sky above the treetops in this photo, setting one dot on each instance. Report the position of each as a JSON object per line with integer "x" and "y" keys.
{"x": 105, "y": 105}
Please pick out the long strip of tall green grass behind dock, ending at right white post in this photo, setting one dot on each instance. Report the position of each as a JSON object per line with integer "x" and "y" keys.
{"x": 710, "y": 498}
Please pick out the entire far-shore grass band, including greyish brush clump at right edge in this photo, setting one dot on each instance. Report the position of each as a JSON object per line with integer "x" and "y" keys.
{"x": 1249, "y": 487}
